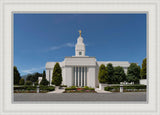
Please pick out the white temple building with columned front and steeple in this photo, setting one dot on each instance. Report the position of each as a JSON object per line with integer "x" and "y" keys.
{"x": 81, "y": 70}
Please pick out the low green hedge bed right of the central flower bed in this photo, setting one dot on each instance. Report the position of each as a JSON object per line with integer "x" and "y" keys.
{"x": 127, "y": 88}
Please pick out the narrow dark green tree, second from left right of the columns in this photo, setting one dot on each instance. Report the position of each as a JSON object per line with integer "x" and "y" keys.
{"x": 110, "y": 73}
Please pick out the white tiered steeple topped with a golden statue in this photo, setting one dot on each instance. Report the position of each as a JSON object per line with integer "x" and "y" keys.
{"x": 80, "y": 47}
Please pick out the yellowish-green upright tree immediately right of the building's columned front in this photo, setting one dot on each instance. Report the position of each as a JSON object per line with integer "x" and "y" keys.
{"x": 102, "y": 74}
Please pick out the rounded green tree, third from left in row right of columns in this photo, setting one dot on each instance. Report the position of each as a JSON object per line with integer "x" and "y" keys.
{"x": 119, "y": 74}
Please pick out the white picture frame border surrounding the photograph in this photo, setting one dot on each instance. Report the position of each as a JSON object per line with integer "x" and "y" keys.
{"x": 150, "y": 6}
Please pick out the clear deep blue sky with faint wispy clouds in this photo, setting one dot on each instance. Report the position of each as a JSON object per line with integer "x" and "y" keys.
{"x": 41, "y": 38}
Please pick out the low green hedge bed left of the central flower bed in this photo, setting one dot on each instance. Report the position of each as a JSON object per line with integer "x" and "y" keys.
{"x": 33, "y": 89}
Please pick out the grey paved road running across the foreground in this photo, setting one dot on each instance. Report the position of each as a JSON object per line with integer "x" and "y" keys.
{"x": 128, "y": 96}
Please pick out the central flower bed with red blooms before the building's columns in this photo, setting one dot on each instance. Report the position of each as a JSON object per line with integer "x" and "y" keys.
{"x": 74, "y": 89}
